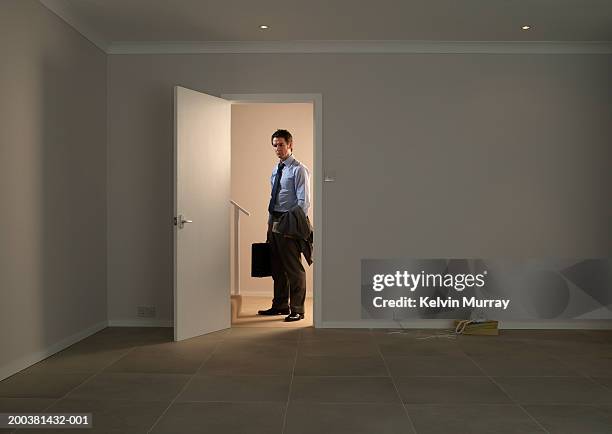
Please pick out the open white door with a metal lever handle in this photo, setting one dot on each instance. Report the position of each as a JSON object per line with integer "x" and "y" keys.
{"x": 202, "y": 151}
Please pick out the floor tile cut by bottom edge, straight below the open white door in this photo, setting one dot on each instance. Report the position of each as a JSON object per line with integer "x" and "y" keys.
{"x": 222, "y": 418}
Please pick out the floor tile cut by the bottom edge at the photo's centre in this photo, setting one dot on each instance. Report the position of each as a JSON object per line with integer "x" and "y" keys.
{"x": 309, "y": 418}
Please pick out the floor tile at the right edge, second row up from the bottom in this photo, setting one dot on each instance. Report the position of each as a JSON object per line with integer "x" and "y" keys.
{"x": 551, "y": 390}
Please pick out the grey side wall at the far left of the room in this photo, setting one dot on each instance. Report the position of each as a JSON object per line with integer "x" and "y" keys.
{"x": 52, "y": 184}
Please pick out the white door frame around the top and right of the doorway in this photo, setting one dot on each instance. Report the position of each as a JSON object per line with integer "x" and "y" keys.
{"x": 316, "y": 99}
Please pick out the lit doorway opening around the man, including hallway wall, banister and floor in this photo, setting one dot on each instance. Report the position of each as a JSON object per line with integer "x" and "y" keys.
{"x": 252, "y": 160}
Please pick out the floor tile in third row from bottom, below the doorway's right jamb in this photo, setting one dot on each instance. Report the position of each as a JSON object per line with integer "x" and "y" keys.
{"x": 372, "y": 366}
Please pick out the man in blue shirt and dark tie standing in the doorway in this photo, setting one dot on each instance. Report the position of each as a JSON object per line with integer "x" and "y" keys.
{"x": 290, "y": 189}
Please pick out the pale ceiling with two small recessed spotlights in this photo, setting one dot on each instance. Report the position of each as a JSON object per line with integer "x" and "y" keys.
{"x": 113, "y": 22}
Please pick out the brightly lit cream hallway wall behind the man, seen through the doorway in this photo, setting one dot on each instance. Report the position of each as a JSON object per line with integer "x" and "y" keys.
{"x": 253, "y": 159}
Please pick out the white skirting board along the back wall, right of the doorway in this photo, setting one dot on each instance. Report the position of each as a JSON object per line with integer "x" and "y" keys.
{"x": 447, "y": 324}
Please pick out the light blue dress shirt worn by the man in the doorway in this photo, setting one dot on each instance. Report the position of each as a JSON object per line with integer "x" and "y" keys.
{"x": 294, "y": 186}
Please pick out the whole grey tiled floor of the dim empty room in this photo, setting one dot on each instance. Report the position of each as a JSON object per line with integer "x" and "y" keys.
{"x": 290, "y": 381}
